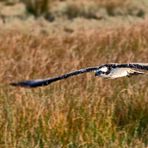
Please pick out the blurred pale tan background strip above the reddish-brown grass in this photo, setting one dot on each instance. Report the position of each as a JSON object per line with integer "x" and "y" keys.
{"x": 52, "y": 16}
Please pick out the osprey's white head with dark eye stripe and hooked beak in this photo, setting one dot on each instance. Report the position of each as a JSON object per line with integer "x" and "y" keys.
{"x": 103, "y": 71}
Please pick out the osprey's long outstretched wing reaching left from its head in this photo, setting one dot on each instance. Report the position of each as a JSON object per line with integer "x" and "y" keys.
{"x": 43, "y": 82}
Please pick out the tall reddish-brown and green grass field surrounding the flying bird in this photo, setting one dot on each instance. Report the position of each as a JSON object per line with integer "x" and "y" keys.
{"x": 83, "y": 111}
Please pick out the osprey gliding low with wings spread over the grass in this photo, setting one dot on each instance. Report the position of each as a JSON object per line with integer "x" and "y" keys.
{"x": 111, "y": 71}
